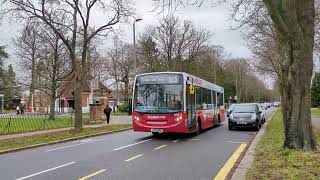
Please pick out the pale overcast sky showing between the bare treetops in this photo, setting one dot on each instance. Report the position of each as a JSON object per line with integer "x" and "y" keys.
{"x": 215, "y": 19}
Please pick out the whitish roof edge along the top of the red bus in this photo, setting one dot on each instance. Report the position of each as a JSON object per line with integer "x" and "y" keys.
{"x": 196, "y": 81}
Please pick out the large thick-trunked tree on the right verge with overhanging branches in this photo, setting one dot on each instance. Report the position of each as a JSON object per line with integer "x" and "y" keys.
{"x": 294, "y": 27}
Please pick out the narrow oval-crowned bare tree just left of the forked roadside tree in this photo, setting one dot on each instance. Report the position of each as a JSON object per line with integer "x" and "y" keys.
{"x": 54, "y": 67}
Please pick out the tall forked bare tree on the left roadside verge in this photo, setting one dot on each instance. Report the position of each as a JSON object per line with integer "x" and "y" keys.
{"x": 75, "y": 16}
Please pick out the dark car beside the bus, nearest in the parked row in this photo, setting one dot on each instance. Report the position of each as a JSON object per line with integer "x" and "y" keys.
{"x": 245, "y": 115}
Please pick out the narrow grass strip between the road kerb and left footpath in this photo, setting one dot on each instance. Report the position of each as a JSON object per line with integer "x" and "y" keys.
{"x": 20, "y": 142}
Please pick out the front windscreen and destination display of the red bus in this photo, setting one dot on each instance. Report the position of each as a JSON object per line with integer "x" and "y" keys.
{"x": 158, "y": 93}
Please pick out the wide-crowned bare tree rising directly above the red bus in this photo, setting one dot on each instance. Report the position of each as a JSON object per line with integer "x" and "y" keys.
{"x": 173, "y": 44}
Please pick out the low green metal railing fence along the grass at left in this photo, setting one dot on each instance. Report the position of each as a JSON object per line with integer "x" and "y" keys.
{"x": 19, "y": 123}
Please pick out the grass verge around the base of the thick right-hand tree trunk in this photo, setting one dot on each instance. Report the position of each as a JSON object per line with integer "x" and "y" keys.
{"x": 271, "y": 161}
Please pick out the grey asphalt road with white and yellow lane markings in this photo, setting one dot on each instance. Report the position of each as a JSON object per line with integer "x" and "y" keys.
{"x": 129, "y": 155}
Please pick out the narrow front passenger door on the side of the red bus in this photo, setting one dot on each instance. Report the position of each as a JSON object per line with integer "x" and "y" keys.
{"x": 191, "y": 108}
